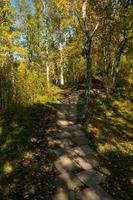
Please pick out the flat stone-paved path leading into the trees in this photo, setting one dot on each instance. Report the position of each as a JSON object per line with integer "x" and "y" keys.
{"x": 76, "y": 177}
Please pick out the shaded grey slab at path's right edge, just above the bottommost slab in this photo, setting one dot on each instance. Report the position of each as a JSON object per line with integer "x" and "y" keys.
{"x": 91, "y": 177}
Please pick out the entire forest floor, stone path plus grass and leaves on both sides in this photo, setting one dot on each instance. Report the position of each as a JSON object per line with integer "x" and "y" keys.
{"x": 47, "y": 153}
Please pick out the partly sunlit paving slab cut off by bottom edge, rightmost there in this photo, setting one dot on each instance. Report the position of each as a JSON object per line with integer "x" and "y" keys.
{"x": 96, "y": 193}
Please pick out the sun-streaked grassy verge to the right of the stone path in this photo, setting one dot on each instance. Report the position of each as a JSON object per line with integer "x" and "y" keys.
{"x": 110, "y": 129}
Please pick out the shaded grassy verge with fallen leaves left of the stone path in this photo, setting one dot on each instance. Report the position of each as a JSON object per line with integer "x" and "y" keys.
{"x": 25, "y": 157}
